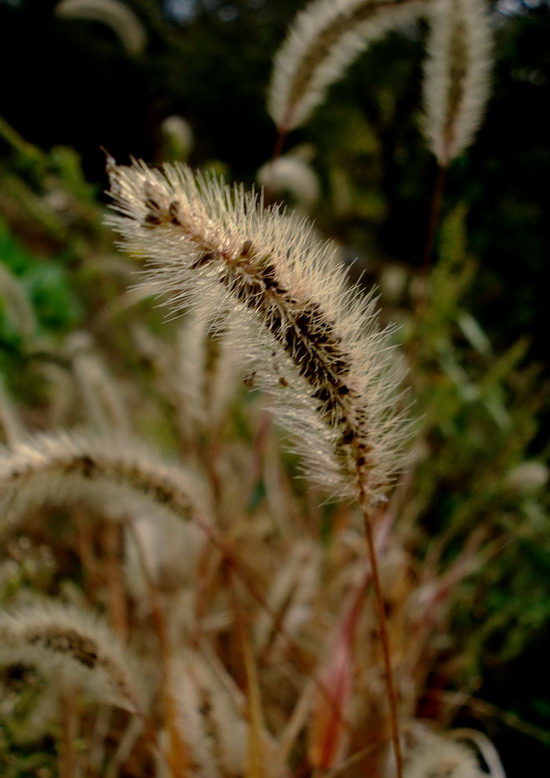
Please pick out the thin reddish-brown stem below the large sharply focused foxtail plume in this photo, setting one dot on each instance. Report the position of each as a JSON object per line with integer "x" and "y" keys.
{"x": 383, "y": 633}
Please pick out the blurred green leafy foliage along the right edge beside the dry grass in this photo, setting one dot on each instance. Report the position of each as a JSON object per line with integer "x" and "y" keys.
{"x": 482, "y": 416}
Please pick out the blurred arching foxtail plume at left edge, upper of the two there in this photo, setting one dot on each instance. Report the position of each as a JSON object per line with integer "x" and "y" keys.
{"x": 55, "y": 468}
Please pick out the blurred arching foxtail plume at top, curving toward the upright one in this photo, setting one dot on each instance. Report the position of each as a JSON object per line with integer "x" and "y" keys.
{"x": 322, "y": 41}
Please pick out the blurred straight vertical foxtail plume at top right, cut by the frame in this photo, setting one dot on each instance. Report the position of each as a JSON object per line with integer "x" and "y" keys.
{"x": 456, "y": 76}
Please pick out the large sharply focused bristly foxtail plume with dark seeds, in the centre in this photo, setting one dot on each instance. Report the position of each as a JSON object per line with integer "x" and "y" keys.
{"x": 307, "y": 338}
